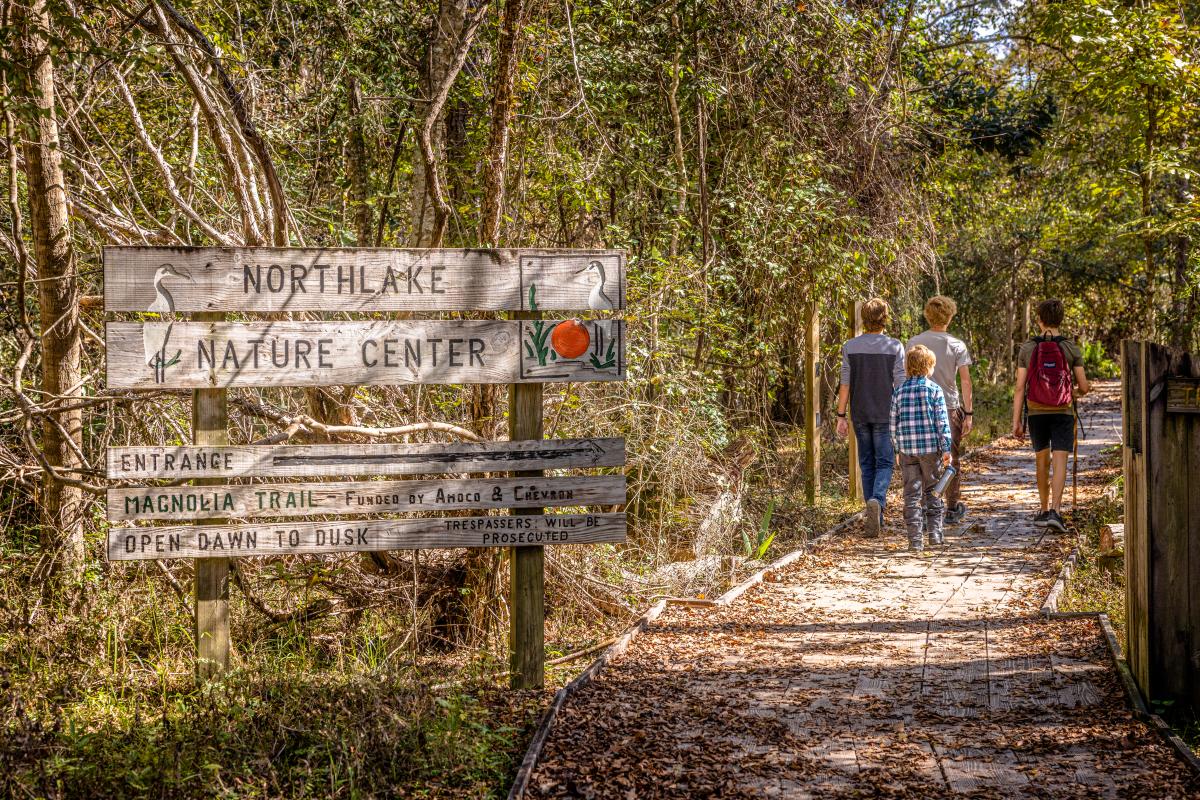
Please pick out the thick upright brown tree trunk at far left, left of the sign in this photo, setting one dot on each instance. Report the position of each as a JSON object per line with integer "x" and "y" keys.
{"x": 58, "y": 299}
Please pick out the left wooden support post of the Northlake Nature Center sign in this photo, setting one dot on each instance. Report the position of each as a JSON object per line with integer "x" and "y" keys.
{"x": 211, "y": 418}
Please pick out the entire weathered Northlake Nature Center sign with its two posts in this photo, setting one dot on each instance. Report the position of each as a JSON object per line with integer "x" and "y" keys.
{"x": 209, "y": 356}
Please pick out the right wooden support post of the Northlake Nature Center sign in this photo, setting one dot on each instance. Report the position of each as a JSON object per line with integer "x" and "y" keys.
{"x": 527, "y": 611}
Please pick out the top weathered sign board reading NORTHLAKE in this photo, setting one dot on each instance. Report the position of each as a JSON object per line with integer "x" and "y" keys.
{"x": 364, "y": 280}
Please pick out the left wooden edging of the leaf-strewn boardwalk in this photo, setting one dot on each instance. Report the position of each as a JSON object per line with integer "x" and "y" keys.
{"x": 530, "y": 763}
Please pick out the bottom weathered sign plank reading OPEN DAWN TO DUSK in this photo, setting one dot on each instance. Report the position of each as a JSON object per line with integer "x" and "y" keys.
{"x": 345, "y": 537}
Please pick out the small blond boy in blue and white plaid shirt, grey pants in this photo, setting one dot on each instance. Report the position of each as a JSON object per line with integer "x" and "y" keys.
{"x": 921, "y": 436}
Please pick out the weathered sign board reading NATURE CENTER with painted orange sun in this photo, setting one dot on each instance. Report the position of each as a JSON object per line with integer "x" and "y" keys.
{"x": 219, "y": 356}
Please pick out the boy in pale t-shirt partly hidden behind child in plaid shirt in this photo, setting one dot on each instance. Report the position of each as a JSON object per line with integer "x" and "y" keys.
{"x": 953, "y": 365}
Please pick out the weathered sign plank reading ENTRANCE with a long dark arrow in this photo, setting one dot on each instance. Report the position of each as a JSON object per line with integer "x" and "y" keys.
{"x": 347, "y": 461}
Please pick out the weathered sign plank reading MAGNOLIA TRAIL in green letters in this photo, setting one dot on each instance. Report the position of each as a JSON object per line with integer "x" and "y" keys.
{"x": 362, "y": 498}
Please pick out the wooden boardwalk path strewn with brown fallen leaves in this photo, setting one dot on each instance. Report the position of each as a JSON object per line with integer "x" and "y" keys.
{"x": 862, "y": 671}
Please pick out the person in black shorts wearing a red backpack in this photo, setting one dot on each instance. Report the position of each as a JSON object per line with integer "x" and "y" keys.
{"x": 1049, "y": 378}
